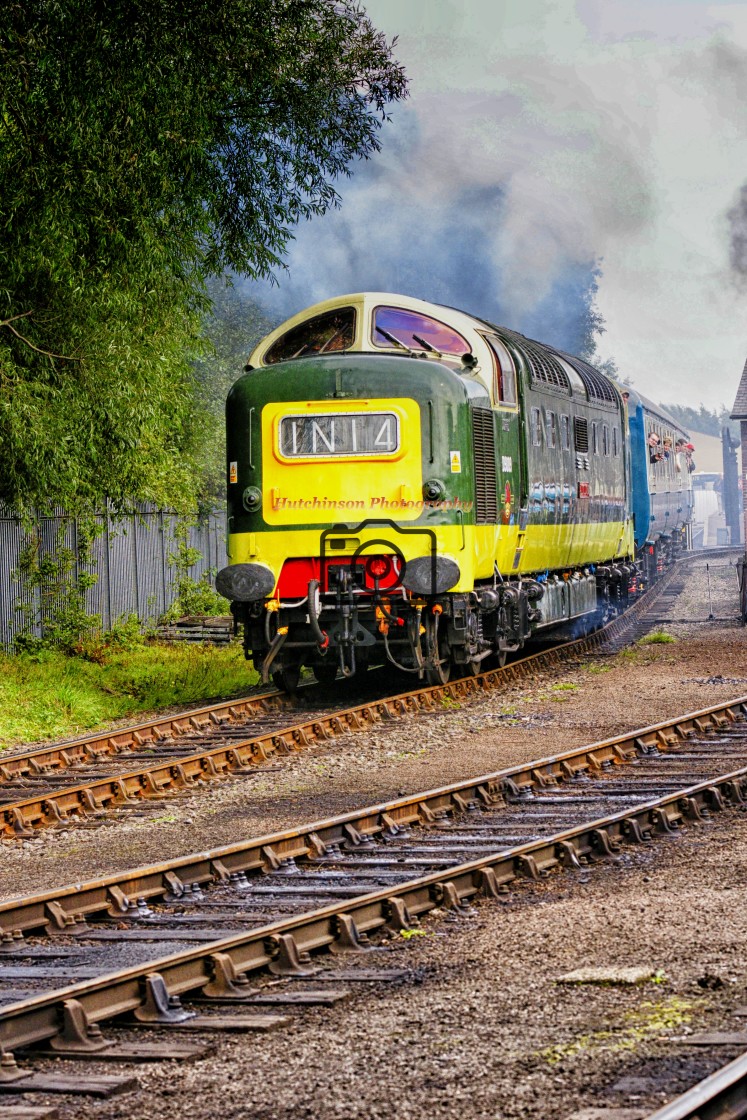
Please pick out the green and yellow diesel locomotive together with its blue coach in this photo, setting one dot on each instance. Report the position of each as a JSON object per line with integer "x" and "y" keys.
{"x": 409, "y": 483}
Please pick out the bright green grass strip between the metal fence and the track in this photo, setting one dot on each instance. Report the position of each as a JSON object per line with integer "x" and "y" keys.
{"x": 46, "y": 696}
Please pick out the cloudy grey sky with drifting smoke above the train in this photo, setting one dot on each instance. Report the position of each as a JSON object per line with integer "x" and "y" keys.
{"x": 547, "y": 144}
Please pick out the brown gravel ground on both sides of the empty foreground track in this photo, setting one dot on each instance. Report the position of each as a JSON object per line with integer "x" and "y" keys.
{"x": 482, "y": 1029}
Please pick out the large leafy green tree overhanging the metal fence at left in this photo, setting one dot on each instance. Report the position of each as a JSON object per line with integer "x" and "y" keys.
{"x": 147, "y": 146}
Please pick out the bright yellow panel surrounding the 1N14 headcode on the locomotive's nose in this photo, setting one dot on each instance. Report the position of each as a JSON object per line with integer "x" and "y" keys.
{"x": 324, "y": 490}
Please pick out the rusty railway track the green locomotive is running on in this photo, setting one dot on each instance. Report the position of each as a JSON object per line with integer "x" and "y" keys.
{"x": 182, "y": 752}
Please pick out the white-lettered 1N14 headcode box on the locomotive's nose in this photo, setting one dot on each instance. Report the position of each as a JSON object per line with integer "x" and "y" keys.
{"x": 350, "y": 434}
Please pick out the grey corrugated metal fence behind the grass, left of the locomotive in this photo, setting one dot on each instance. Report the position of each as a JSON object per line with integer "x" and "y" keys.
{"x": 130, "y": 557}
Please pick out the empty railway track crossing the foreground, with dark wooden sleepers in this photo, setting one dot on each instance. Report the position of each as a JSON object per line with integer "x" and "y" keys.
{"x": 287, "y": 920}
